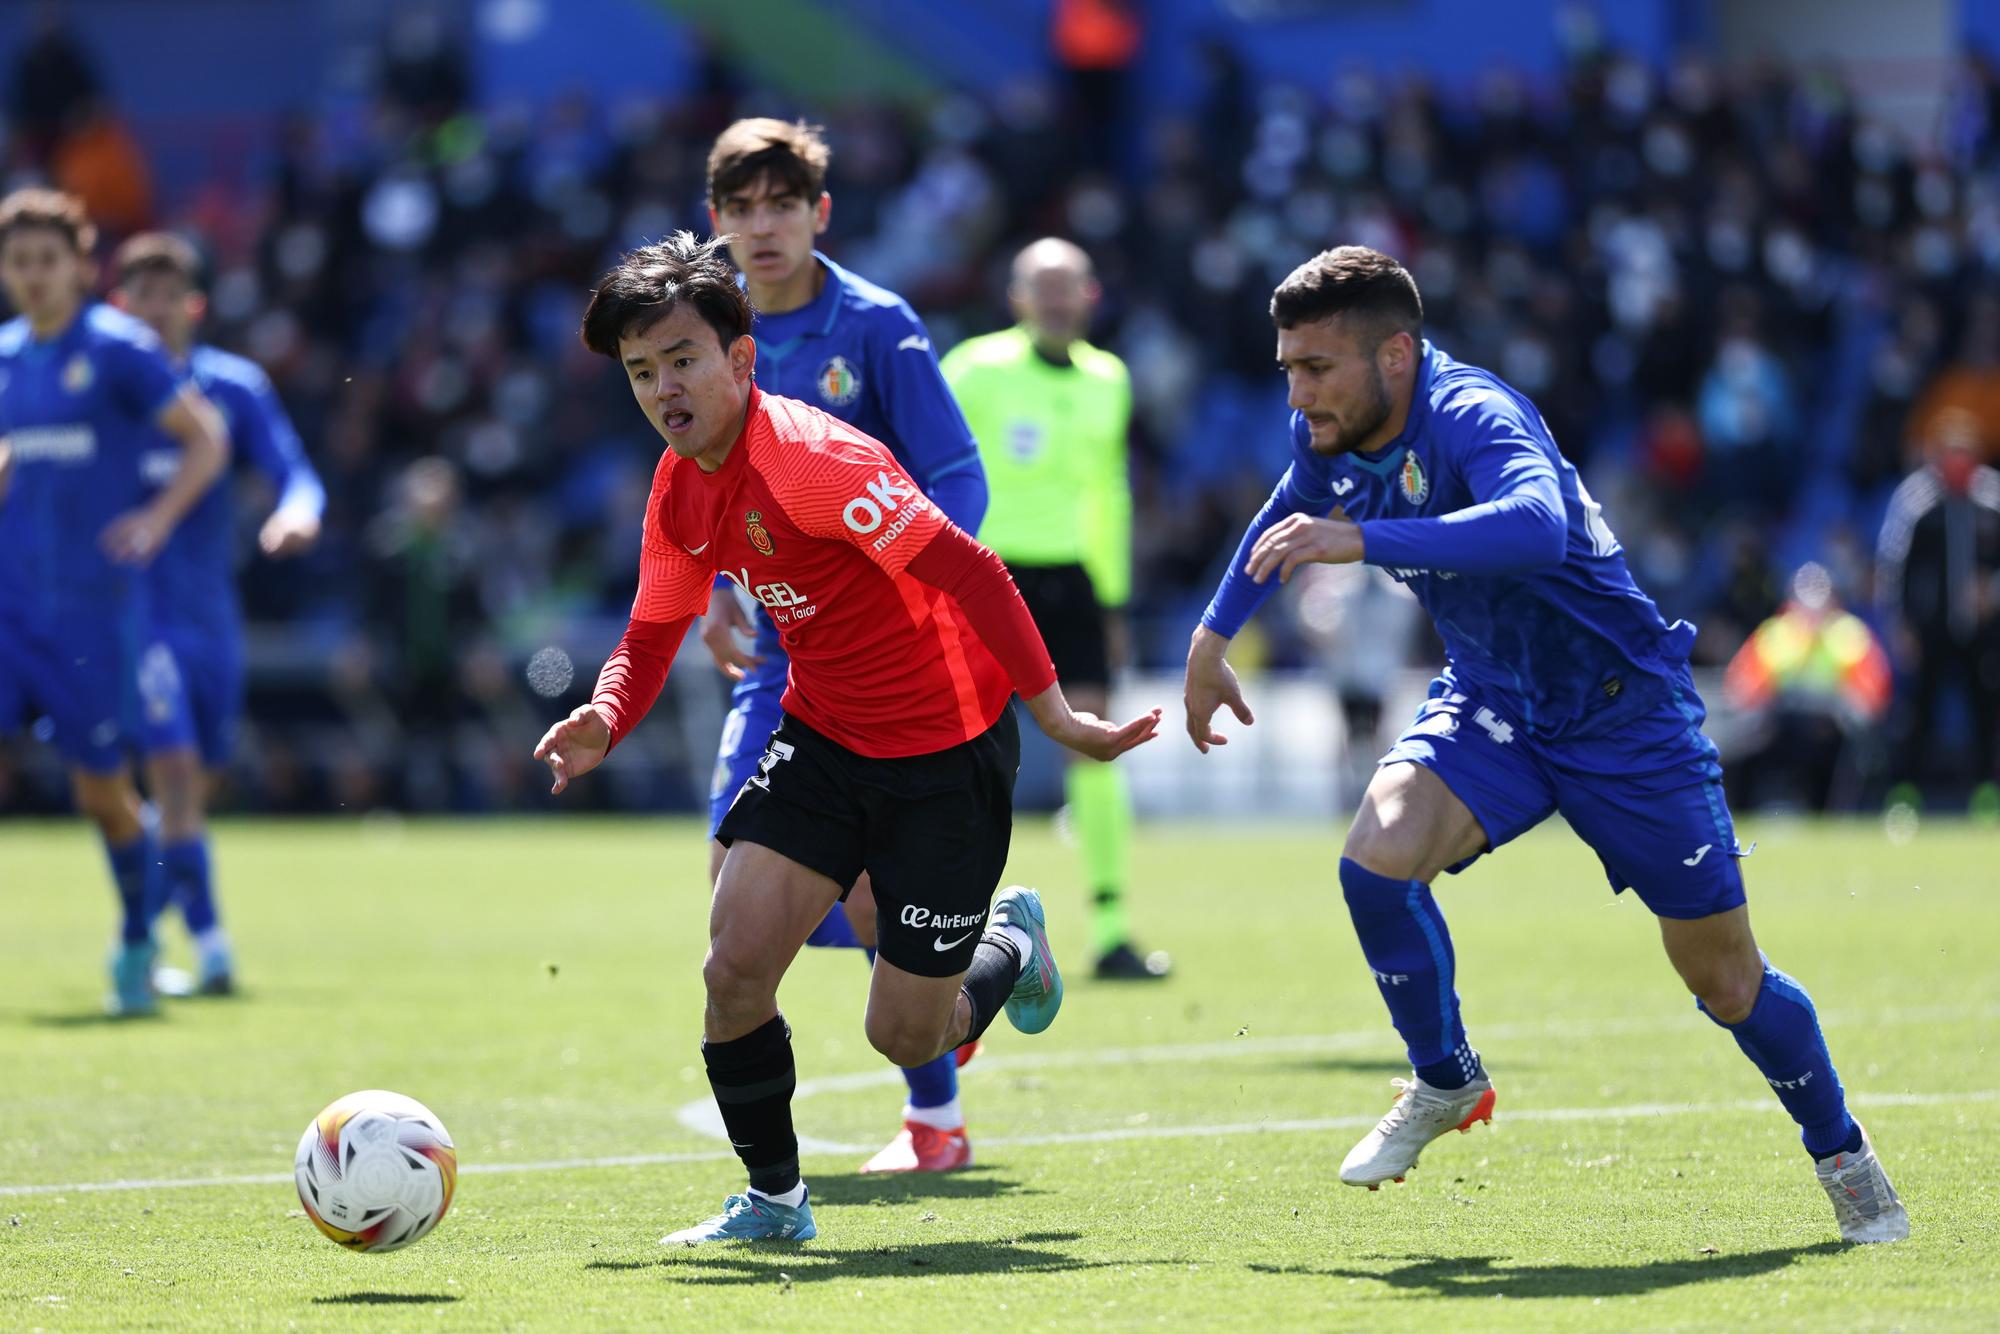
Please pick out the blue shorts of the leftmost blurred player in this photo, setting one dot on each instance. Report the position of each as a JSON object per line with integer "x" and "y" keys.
{"x": 107, "y": 687}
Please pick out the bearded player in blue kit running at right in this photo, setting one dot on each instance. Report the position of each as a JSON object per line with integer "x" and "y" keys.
{"x": 1563, "y": 691}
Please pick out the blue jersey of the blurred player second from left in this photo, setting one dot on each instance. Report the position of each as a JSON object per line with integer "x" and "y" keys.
{"x": 195, "y": 577}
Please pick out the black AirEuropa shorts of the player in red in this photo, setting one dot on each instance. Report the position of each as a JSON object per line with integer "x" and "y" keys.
{"x": 931, "y": 831}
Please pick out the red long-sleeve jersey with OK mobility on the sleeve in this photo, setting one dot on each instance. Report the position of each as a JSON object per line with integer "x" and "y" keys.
{"x": 905, "y": 635}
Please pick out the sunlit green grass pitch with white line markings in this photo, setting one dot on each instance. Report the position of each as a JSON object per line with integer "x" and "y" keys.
{"x": 1163, "y": 1157}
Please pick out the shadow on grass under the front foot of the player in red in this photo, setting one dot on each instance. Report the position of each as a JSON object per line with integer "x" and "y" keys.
{"x": 785, "y": 1265}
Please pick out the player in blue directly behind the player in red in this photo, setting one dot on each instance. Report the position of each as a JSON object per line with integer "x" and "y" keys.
{"x": 839, "y": 343}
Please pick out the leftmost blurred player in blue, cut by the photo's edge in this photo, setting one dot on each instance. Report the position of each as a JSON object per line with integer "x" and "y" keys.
{"x": 85, "y": 391}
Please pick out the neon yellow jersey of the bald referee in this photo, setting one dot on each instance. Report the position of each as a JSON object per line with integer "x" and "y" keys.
{"x": 1053, "y": 441}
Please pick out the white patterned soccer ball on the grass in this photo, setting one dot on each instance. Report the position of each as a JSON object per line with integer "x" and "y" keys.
{"x": 375, "y": 1171}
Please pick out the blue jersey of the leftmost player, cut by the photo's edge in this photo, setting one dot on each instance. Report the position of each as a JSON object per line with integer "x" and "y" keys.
{"x": 79, "y": 413}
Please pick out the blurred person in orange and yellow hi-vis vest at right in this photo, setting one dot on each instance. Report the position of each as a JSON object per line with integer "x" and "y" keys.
{"x": 1813, "y": 685}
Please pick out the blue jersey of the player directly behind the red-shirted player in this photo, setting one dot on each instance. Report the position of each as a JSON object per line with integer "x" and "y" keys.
{"x": 859, "y": 353}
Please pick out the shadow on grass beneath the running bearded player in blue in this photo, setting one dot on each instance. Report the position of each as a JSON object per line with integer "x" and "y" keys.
{"x": 1485, "y": 1277}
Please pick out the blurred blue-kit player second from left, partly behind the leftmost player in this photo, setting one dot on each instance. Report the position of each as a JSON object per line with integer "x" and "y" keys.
{"x": 195, "y": 579}
